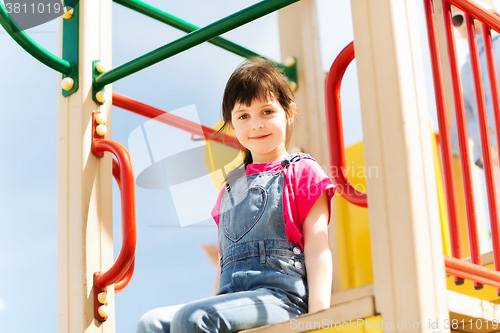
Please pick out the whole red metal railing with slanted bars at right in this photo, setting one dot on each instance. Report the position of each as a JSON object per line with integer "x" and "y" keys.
{"x": 472, "y": 11}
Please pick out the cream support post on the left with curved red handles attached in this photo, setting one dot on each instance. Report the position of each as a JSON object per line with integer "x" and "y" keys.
{"x": 84, "y": 210}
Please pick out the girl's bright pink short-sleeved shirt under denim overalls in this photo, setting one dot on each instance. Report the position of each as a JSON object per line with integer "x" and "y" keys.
{"x": 304, "y": 183}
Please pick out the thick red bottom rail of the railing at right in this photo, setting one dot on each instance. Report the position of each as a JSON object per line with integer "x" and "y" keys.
{"x": 476, "y": 273}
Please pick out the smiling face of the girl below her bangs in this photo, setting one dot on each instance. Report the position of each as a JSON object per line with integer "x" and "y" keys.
{"x": 261, "y": 128}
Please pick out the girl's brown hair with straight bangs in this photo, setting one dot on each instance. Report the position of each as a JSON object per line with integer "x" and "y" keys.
{"x": 257, "y": 78}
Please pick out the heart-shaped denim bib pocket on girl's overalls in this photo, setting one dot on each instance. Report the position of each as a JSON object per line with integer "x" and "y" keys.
{"x": 242, "y": 211}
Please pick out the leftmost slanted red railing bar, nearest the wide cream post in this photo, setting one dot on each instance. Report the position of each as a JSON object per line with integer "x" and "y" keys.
{"x": 444, "y": 137}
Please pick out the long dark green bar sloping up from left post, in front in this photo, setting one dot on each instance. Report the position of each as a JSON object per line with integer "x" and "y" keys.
{"x": 190, "y": 40}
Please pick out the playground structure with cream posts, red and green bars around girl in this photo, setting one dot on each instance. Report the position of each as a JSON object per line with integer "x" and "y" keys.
{"x": 405, "y": 280}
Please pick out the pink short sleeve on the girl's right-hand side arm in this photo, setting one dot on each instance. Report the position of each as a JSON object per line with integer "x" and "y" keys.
{"x": 310, "y": 182}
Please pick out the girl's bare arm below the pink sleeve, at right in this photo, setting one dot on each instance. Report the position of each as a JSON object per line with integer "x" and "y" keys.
{"x": 318, "y": 257}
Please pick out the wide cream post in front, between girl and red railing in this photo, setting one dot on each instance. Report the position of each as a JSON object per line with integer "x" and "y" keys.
{"x": 409, "y": 275}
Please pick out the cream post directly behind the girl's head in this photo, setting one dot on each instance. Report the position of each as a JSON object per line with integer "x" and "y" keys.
{"x": 299, "y": 38}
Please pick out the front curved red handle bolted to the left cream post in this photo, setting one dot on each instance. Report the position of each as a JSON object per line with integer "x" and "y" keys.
{"x": 127, "y": 189}
